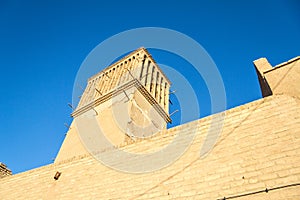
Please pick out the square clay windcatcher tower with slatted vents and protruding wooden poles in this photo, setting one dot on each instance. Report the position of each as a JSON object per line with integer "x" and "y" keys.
{"x": 130, "y": 99}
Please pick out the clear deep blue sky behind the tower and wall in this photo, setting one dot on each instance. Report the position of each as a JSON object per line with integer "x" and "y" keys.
{"x": 43, "y": 43}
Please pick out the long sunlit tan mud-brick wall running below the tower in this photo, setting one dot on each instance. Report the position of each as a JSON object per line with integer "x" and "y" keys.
{"x": 258, "y": 148}
